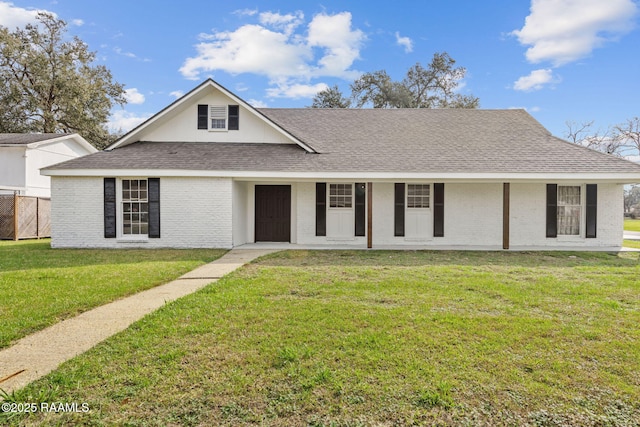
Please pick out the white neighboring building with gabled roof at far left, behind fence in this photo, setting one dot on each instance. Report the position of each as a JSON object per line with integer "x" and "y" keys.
{"x": 23, "y": 155}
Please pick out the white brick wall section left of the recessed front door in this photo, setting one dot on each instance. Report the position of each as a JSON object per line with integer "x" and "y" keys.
{"x": 195, "y": 212}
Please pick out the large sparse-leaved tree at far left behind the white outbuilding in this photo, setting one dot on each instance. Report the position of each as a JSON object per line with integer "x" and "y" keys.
{"x": 48, "y": 83}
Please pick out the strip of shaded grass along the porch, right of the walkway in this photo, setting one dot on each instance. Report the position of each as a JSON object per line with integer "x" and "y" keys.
{"x": 450, "y": 258}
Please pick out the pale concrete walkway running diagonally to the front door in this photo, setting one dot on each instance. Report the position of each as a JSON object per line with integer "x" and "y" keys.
{"x": 36, "y": 355}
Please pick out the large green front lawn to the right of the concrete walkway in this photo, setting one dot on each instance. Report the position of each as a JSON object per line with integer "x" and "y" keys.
{"x": 375, "y": 338}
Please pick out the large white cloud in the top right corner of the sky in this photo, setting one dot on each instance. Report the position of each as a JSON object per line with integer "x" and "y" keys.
{"x": 563, "y": 31}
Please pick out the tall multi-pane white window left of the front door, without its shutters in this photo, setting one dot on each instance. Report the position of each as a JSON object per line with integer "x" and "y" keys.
{"x": 135, "y": 207}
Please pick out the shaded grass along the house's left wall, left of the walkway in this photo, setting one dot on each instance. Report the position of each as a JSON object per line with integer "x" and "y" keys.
{"x": 38, "y": 254}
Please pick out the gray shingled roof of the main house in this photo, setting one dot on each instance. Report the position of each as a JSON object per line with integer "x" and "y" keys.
{"x": 376, "y": 140}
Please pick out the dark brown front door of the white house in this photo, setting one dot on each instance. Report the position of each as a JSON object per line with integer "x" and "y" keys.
{"x": 273, "y": 213}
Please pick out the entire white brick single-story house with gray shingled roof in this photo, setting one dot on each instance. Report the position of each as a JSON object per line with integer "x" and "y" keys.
{"x": 212, "y": 171}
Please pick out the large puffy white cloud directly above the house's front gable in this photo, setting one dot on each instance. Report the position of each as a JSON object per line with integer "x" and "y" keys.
{"x": 279, "y": 48}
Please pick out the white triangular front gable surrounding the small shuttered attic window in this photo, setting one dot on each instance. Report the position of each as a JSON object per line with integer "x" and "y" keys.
{"x": 178, "y": 121}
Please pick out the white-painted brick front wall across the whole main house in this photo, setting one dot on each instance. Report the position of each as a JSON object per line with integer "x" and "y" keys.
{"x": 198, "y": 212}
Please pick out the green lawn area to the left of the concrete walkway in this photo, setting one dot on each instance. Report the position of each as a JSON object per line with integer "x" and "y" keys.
{"x": 40, "y": 286}
